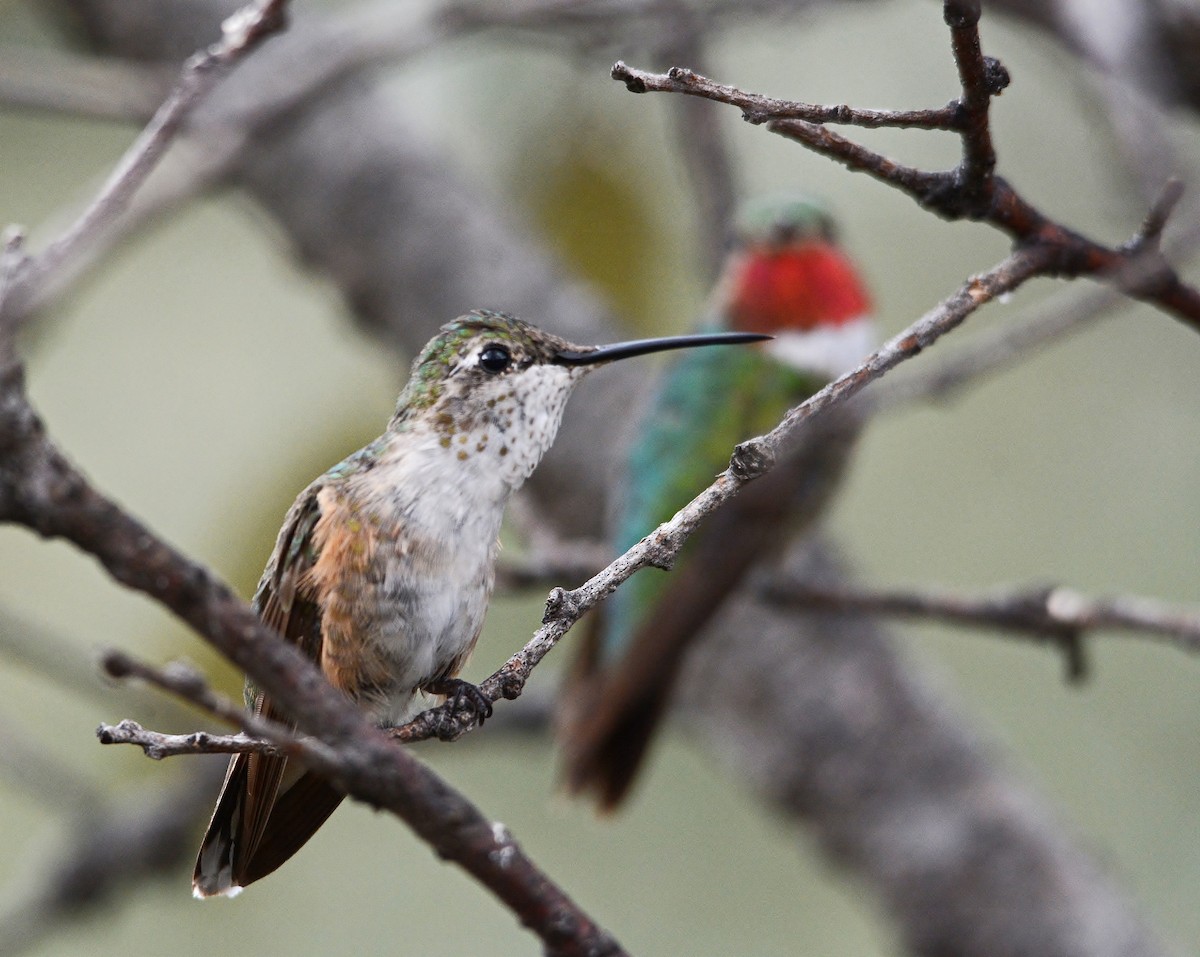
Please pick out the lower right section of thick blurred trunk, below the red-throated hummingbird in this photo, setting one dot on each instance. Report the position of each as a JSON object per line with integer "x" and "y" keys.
{"x": 825, "y": 720}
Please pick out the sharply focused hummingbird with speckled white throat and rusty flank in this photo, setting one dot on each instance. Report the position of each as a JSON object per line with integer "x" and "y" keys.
{"x": 385, "y": 565}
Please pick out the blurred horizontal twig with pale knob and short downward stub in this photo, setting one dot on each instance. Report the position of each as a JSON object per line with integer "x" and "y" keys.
{"x": 1059, "y": 615}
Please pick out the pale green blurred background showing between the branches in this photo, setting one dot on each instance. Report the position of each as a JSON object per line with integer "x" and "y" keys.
{"x": 202, "y": 376}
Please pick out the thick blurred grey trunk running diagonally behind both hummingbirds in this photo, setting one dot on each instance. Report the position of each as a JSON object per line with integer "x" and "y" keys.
{"x": 861, "y": 797}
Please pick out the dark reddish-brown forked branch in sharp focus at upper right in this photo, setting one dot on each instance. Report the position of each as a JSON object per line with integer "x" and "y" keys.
{"x": 970, "y": 191}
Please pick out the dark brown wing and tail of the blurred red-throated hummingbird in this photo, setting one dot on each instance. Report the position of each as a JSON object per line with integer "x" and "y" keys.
{"x": 617, "y": 711}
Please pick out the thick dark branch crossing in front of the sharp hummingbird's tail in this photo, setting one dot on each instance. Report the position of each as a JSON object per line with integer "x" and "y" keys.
{"x": 40, "y": 490}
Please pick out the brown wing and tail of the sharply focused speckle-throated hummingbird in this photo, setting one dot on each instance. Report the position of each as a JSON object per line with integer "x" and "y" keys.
{"x": 267, "y": 810}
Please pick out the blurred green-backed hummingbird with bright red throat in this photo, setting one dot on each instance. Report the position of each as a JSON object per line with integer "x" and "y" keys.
{"x": 787, "y": 276}
